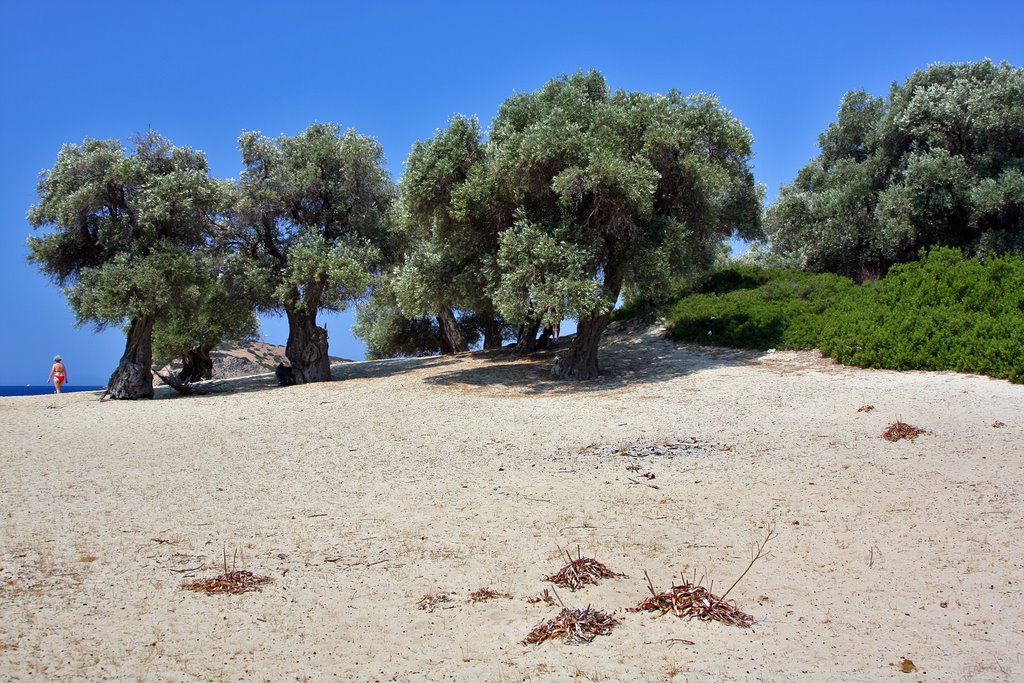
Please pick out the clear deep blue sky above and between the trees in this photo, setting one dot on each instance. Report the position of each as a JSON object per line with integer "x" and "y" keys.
{"x": 201, "y": 73}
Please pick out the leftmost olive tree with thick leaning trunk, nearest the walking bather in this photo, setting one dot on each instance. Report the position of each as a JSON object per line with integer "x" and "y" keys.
{"x": 129, "y": 229}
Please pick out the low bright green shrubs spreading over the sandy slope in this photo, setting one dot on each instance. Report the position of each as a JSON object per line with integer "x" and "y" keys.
{"x": 941, "y": 313}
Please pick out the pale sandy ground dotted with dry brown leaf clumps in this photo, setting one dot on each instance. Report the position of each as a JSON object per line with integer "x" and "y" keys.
{"x": 410, "y": 479}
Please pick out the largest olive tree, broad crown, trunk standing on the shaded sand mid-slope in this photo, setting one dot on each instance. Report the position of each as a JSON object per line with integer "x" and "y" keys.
{"x": 610, "y": 190}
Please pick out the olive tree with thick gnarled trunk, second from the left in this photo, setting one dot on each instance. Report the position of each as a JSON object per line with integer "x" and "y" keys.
{"x": 312, "y": 214}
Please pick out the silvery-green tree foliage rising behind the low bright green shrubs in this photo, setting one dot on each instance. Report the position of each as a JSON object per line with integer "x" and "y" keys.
{"x": 938, "y": 161}
